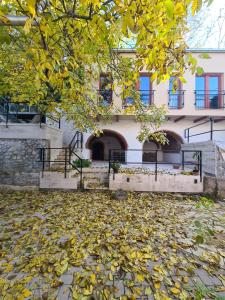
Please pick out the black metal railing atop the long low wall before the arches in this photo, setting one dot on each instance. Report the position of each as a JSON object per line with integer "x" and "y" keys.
{"x": 185, "y": 159}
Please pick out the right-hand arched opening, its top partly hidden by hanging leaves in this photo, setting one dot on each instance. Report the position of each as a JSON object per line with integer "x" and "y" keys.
{"x": 168, "y": 153}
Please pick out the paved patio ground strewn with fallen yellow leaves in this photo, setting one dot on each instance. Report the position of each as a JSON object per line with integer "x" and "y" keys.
{"x": 90, "y": 246}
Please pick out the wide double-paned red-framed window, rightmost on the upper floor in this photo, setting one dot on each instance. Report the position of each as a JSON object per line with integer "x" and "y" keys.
{"x": 208, "y": 91}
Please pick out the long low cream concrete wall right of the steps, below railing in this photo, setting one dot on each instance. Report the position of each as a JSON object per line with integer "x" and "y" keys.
{"x": 165, "y": 183}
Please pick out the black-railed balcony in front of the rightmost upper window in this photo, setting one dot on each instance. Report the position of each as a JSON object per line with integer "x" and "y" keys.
{"x": 209, "y": 99}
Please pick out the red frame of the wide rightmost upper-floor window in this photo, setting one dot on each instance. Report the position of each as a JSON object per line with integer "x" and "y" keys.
{"x": 207, "y": 91}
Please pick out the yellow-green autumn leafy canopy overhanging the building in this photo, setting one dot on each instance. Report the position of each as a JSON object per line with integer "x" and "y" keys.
{"x": 65, "y": 44}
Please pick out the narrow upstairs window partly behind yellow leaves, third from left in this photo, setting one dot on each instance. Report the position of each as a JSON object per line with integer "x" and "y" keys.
{"x": 176, "y": 97}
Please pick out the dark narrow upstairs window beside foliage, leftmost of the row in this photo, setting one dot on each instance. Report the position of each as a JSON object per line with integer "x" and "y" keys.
{"x": 105, "y": 89}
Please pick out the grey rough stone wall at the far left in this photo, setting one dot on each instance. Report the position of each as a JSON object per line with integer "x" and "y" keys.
{"x": 19, "y": 164}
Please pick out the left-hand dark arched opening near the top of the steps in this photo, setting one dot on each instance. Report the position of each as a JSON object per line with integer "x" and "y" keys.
{"x": 108, "y": 140}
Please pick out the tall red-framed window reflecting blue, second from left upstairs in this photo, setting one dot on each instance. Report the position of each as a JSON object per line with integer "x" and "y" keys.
{"x": 144, "y": 87}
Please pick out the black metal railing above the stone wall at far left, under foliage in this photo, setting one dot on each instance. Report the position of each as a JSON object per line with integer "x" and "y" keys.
{"x": 22, "y": 112}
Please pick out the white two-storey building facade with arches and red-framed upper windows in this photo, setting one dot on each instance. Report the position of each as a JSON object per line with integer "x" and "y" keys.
{"x": 195, "y": 112}
